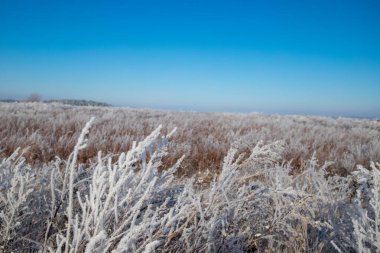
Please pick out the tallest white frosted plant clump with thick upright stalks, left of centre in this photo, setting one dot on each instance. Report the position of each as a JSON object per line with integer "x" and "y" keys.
{"x": 115, "y": 207}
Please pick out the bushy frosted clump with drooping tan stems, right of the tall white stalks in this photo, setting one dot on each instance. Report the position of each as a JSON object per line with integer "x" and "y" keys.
{"x": 255, "y": 204}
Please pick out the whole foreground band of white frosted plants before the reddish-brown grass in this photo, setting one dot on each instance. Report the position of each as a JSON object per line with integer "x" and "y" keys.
{"x": 129, "y": 203}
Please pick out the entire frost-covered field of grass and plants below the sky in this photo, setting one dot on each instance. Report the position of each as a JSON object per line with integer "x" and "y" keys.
{"x": 262, "y": 182}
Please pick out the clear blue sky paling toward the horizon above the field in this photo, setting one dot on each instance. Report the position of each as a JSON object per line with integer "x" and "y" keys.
{"x": 312, "y": 57}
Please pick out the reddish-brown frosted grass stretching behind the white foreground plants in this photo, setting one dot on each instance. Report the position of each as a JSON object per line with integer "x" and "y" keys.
{"x": 51, "y": 130}
